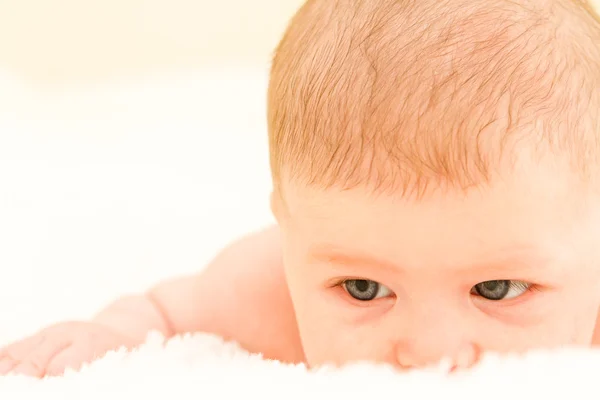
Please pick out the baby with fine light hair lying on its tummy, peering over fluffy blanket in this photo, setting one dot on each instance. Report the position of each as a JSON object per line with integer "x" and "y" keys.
{"x": 436, "y": 170}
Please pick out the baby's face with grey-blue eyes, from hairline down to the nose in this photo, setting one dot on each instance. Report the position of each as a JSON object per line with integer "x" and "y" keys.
{"x": 508, "y": 267}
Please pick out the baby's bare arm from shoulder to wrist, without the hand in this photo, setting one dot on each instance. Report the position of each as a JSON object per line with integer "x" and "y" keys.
{"x": 241, "y": 295}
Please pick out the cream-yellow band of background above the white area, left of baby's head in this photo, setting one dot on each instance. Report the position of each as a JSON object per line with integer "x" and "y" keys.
{"x": 63, "y": 41}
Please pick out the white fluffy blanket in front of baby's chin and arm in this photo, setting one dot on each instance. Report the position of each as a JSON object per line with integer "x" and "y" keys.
{"x": 203, "y": 366}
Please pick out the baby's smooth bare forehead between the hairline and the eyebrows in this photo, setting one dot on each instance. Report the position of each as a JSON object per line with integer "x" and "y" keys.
{"x": 541, "y": 211}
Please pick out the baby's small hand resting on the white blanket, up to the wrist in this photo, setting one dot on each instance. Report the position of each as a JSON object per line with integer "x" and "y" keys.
{"x": 61, "y": 346}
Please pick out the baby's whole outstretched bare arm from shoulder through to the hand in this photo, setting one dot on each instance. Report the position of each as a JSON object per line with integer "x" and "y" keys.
{"x": 241, "y": 296}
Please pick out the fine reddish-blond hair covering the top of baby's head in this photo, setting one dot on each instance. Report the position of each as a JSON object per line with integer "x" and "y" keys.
{"x": 400, "y": 95}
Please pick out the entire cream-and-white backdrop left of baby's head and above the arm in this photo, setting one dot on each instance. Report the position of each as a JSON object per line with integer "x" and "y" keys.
{"x": 132, "y": 145}
